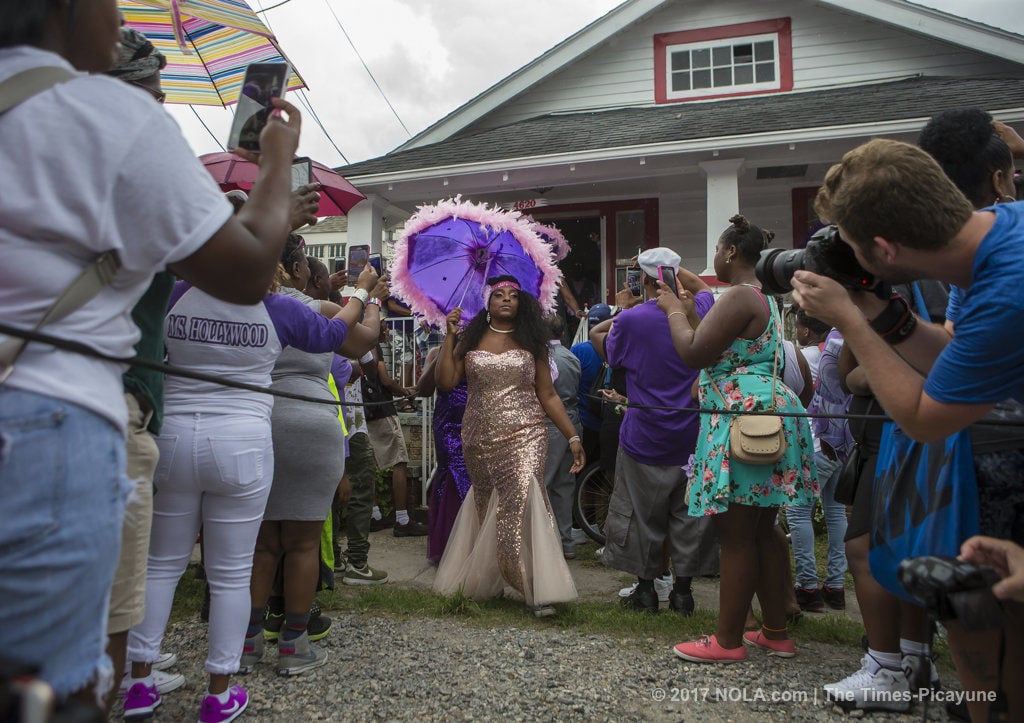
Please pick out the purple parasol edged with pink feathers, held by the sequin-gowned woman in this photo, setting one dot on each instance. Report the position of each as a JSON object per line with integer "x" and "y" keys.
{"x": 448, "y": 251}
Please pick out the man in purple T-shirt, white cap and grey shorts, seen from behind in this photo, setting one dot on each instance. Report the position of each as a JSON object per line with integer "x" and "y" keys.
{"x": 649, "y": 505}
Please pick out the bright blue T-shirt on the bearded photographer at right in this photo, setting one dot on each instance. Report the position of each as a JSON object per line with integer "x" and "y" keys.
{"x": 985, "y": 363}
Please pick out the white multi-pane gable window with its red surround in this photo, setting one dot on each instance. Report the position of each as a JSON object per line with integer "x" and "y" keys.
{"x": 741, "y": 60}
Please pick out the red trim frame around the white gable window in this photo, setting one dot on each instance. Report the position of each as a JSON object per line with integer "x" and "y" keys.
{"x": 781, "y": 26}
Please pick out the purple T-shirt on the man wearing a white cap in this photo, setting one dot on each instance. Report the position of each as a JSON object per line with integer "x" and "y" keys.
{"x": 641, "y": 344}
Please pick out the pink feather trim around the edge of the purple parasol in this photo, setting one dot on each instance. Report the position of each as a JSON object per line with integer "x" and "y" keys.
{"x": 498, "y": 221}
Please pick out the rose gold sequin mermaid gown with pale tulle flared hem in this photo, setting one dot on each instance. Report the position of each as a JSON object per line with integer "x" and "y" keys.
{"x": 505, "y": 533}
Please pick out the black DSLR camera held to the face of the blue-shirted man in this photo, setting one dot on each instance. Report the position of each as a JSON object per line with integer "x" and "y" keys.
{"x": 826, "y": 254}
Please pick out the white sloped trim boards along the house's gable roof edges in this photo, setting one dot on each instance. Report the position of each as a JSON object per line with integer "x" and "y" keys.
{"x": 901, "y": 14}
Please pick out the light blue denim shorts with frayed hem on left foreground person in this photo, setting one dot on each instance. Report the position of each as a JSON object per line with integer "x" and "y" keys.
{"x": 59, "y": 537}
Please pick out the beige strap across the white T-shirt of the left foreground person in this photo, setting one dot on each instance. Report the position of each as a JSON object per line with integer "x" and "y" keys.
{"x": 97, "y": 275}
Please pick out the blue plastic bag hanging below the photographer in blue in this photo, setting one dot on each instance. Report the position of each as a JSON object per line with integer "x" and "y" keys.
{"x": 924, "y": 502}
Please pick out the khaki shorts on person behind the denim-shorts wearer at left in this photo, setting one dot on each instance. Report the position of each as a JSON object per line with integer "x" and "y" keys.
{"x": 129, "y": 593}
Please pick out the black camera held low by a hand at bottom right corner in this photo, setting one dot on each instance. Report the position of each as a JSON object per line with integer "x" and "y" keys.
{"x": 953, "y": 589}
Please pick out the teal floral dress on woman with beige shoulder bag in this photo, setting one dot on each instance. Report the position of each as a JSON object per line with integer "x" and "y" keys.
{"x": 744, "y": 374}
